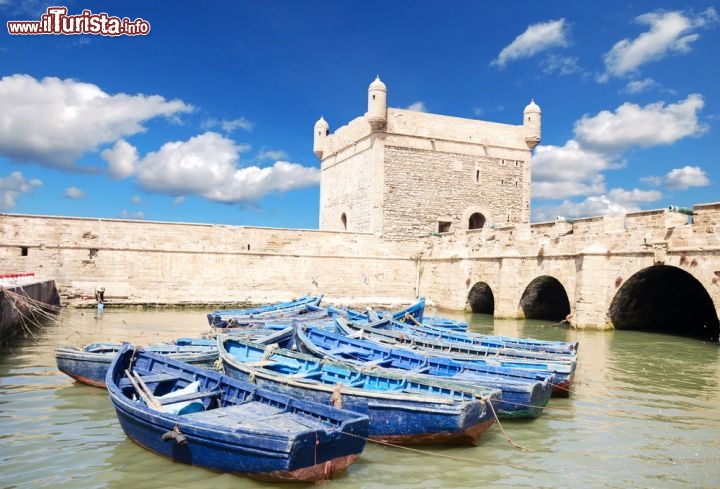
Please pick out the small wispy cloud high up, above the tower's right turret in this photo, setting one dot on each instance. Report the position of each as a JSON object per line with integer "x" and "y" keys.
{"x": 536, "y": 38}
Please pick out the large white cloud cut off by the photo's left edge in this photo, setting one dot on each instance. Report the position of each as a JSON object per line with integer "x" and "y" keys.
{"x": 54, "y": 122}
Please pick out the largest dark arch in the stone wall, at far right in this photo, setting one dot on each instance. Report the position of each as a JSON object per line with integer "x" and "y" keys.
{"x": 668, "y": 300}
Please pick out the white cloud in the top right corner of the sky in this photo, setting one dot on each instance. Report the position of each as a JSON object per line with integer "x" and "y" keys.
{"x": 669, "y": 32}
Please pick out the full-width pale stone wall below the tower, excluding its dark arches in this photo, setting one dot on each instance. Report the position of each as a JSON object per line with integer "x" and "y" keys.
{"x": 175, "y": 263}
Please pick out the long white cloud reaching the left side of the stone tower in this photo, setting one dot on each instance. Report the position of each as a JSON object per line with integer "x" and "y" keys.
{"x": 208, "y": 165}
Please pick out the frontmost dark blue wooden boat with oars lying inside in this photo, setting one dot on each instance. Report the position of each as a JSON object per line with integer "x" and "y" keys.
{"x": 203, "y": 418}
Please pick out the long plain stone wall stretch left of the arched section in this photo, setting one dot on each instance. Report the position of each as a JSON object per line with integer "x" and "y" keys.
{"x": 160, "y": 262}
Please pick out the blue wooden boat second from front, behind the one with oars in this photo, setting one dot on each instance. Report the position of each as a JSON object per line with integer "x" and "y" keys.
{"x": 402, "y": 409}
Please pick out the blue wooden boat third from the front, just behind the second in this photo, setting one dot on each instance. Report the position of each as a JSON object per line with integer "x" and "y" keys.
{"x": 524, "y": 393}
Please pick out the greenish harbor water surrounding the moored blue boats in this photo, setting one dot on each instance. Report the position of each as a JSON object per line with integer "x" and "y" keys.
{"x": 644, "y": 413}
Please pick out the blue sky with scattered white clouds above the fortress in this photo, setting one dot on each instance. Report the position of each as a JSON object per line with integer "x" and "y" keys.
{"x": 209, "y": 118}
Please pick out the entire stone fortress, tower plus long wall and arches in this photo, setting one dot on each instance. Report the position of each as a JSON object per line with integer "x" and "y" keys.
{"x": 411, "y": 204}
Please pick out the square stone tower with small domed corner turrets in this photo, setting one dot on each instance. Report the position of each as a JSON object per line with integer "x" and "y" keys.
{"x": 400, "y": 174}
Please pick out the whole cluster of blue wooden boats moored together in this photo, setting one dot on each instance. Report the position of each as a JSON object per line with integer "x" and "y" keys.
{"x": 294, "y": 390}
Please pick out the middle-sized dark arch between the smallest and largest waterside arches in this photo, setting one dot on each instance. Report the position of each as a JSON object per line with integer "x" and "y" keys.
{"x": 545, "y": 298}
